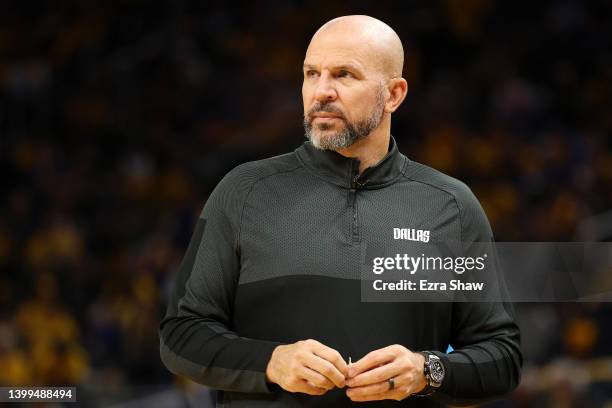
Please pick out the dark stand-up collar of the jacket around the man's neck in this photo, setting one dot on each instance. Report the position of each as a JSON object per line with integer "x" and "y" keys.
{"x": 344, "y": 171}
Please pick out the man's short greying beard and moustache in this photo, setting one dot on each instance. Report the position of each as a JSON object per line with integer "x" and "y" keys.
{"x": 351, "y": 132}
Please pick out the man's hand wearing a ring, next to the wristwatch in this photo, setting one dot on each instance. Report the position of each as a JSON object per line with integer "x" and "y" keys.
{"x": 369, "y": 377}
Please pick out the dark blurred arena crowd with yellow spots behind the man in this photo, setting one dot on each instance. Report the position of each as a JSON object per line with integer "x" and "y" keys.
{"x": 118, "y": 118}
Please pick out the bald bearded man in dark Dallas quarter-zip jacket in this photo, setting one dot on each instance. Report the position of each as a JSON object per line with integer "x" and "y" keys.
{"x": 267, "y": 308}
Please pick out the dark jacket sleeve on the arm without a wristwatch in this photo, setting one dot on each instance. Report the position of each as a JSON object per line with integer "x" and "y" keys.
{"x": 196, "y": 337}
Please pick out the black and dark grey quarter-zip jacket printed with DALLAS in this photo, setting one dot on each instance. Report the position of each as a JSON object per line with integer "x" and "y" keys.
{"x": 275, "y": 259}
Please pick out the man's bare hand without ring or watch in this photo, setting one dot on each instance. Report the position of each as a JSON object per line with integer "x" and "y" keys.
{"x": 307, "y": 366}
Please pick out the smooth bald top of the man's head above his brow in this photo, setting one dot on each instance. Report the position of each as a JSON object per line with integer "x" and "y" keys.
{"x": 369, "y": 39}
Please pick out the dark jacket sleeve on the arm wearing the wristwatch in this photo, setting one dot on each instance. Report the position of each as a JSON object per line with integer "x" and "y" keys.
{"x": 486, "y": 361}
